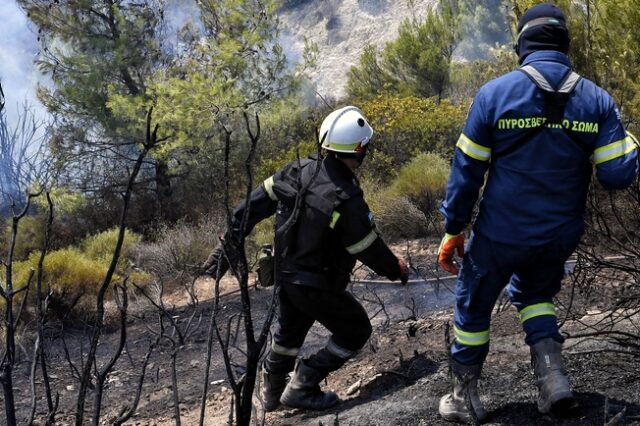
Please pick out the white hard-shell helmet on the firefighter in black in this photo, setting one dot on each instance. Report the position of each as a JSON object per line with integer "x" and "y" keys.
{"x": 345, "y": 130}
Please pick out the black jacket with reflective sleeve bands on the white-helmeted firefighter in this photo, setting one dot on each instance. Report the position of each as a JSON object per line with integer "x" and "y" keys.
{"x": 318, "y": 242}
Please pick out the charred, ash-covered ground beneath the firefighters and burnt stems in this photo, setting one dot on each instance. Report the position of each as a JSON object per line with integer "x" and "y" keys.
{"x": 397, "y": 379}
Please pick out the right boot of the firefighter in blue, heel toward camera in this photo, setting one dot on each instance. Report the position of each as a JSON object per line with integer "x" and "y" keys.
{"x": 554, "y": 391}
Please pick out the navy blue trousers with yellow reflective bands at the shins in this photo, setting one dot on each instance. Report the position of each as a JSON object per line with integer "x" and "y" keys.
{"x": 532, "y": 274}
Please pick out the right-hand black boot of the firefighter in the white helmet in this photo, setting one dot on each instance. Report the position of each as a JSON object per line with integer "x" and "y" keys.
{"x": 303, "y": 391}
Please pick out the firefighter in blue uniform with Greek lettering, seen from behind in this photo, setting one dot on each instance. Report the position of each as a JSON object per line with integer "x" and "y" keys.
{"x": 538, "y": 131}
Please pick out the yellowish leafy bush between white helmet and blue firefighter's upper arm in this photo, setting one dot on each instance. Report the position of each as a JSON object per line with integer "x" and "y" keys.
{"x": 406, "y": 127}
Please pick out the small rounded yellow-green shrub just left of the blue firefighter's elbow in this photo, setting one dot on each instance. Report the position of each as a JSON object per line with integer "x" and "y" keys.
{"x": 423, "y": 180}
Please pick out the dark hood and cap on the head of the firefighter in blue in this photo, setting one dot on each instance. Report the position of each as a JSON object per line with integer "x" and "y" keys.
{"x": 542, "y": 27}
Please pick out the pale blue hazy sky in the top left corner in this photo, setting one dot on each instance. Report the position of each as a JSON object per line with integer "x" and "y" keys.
{"x": 18, "y": 50}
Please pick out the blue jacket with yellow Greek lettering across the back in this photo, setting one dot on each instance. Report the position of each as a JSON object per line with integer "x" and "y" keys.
{"x": 538, "y": 191}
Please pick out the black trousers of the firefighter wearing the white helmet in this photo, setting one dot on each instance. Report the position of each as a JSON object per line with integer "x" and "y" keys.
{"x": 301, "y": 306}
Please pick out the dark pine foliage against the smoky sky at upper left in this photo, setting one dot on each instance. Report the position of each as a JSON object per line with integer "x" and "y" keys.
{"x": 86, "y": 47}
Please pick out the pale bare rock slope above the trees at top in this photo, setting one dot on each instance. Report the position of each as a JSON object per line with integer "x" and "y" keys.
{"x": 341, "y": 29}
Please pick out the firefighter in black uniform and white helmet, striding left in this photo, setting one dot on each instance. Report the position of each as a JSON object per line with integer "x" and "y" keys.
{"x": 316, "y": 251}
